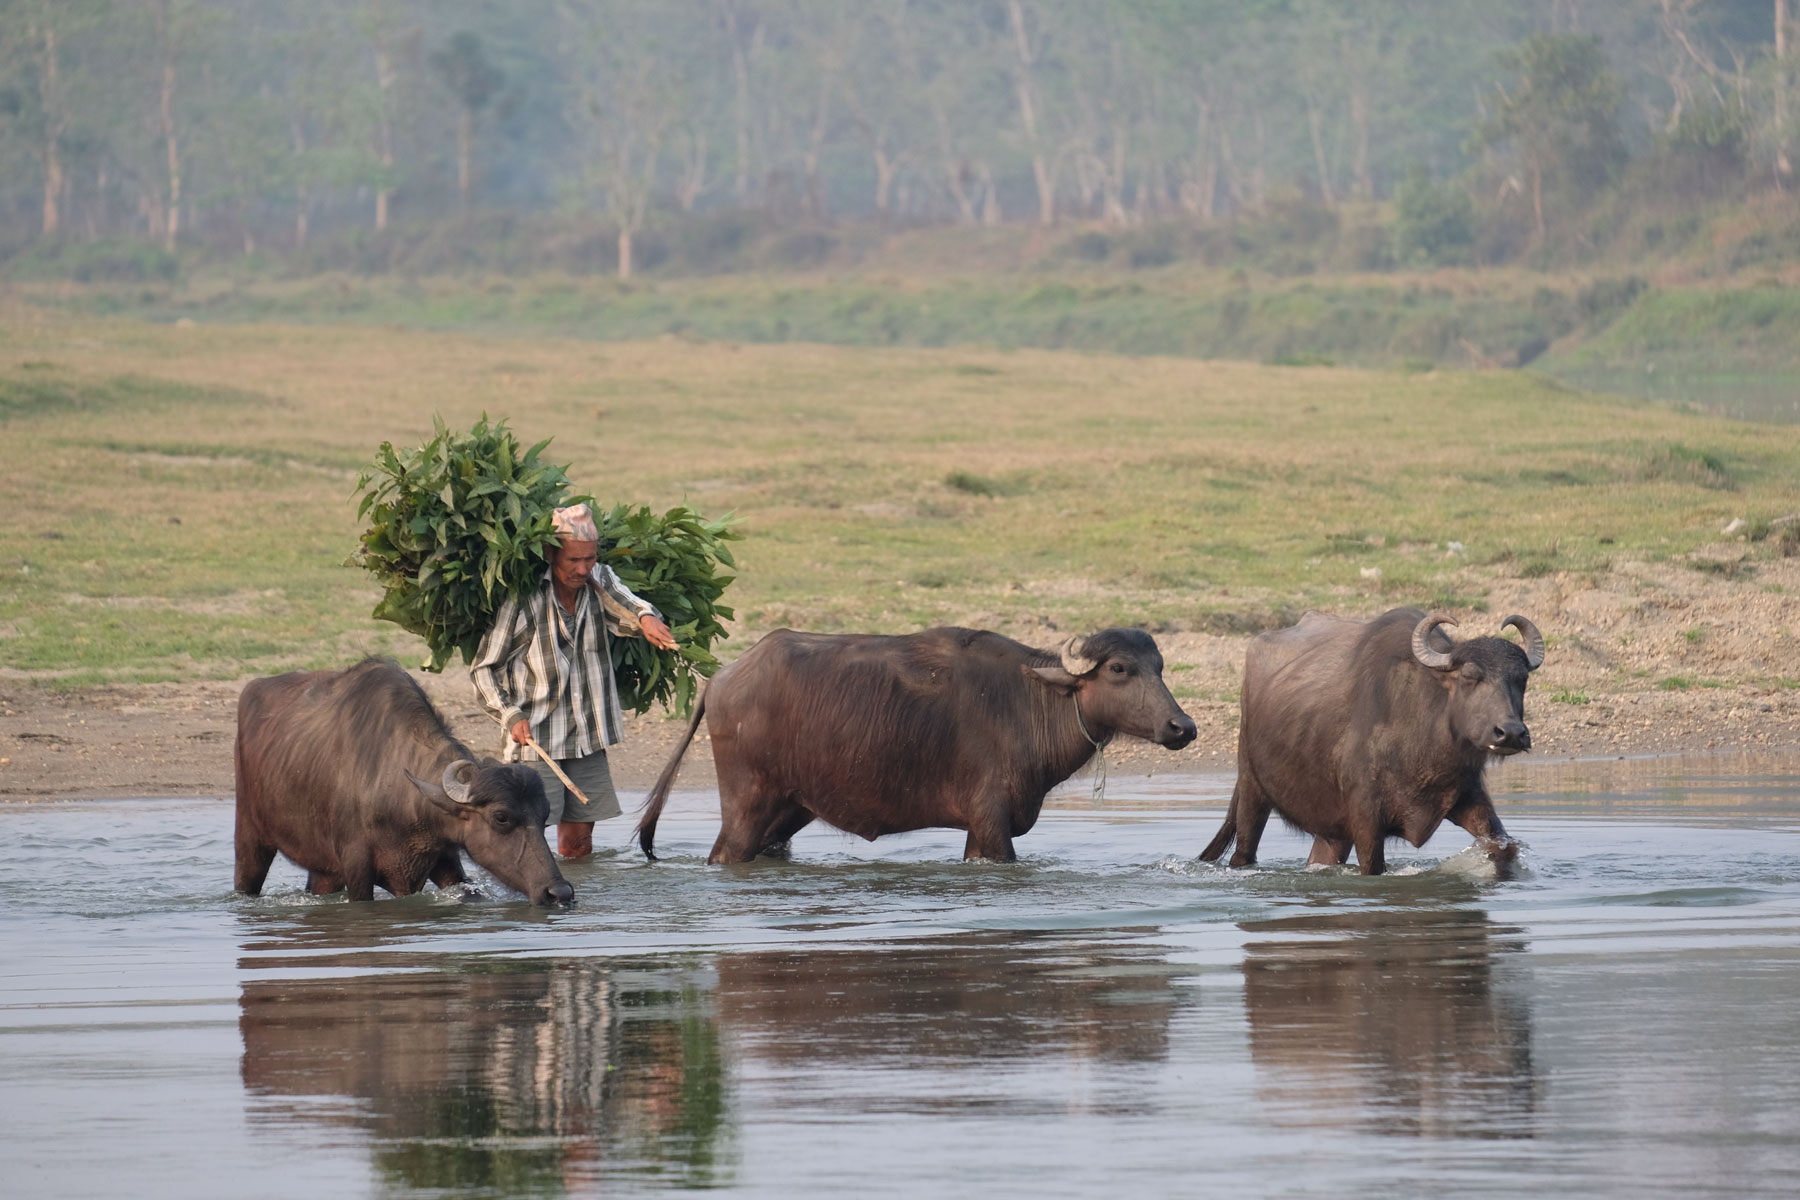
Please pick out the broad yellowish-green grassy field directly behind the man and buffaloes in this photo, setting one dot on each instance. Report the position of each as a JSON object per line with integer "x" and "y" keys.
{"x": 179, "y": 499}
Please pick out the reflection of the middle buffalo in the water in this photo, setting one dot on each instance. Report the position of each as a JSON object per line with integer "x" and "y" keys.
{"x": 951, "y": 999}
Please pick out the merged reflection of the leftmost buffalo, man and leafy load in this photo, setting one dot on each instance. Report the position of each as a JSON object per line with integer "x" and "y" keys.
{"x": 516, "y": 1077}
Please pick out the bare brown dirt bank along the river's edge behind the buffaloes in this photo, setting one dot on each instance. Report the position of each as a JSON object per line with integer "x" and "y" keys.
{"x": 1642, "y": 661}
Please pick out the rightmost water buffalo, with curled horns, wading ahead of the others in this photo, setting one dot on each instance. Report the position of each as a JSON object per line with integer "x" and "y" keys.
{"x": 1358, "y": 731}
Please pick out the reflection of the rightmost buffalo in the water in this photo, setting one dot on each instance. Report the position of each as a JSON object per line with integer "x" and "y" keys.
{"x": 1392, "y": 1021}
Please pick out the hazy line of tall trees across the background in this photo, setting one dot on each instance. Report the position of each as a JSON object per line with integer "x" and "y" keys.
{"x": 251, "y": 123}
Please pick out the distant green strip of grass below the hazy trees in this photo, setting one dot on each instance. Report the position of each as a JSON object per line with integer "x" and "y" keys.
{"x": 1725, "y": 346}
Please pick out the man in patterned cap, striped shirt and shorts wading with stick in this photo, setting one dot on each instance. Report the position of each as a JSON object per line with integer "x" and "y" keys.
{"x": 544, "y": 672}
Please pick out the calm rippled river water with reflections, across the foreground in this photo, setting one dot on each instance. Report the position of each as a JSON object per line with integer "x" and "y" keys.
{"x": 1104, "y": 1017}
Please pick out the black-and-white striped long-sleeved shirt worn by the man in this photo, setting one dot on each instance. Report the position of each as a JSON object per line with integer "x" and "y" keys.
{"x": 555, "y": 670}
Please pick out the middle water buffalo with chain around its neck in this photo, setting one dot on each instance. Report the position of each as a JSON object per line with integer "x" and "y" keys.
{"x": 881, "y": 735}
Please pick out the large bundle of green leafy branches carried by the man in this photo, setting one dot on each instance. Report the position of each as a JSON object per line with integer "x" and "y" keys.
{"x": 463, "y": 523}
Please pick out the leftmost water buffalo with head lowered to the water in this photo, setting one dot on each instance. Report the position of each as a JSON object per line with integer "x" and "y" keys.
{"x": 355, "y": 776}
